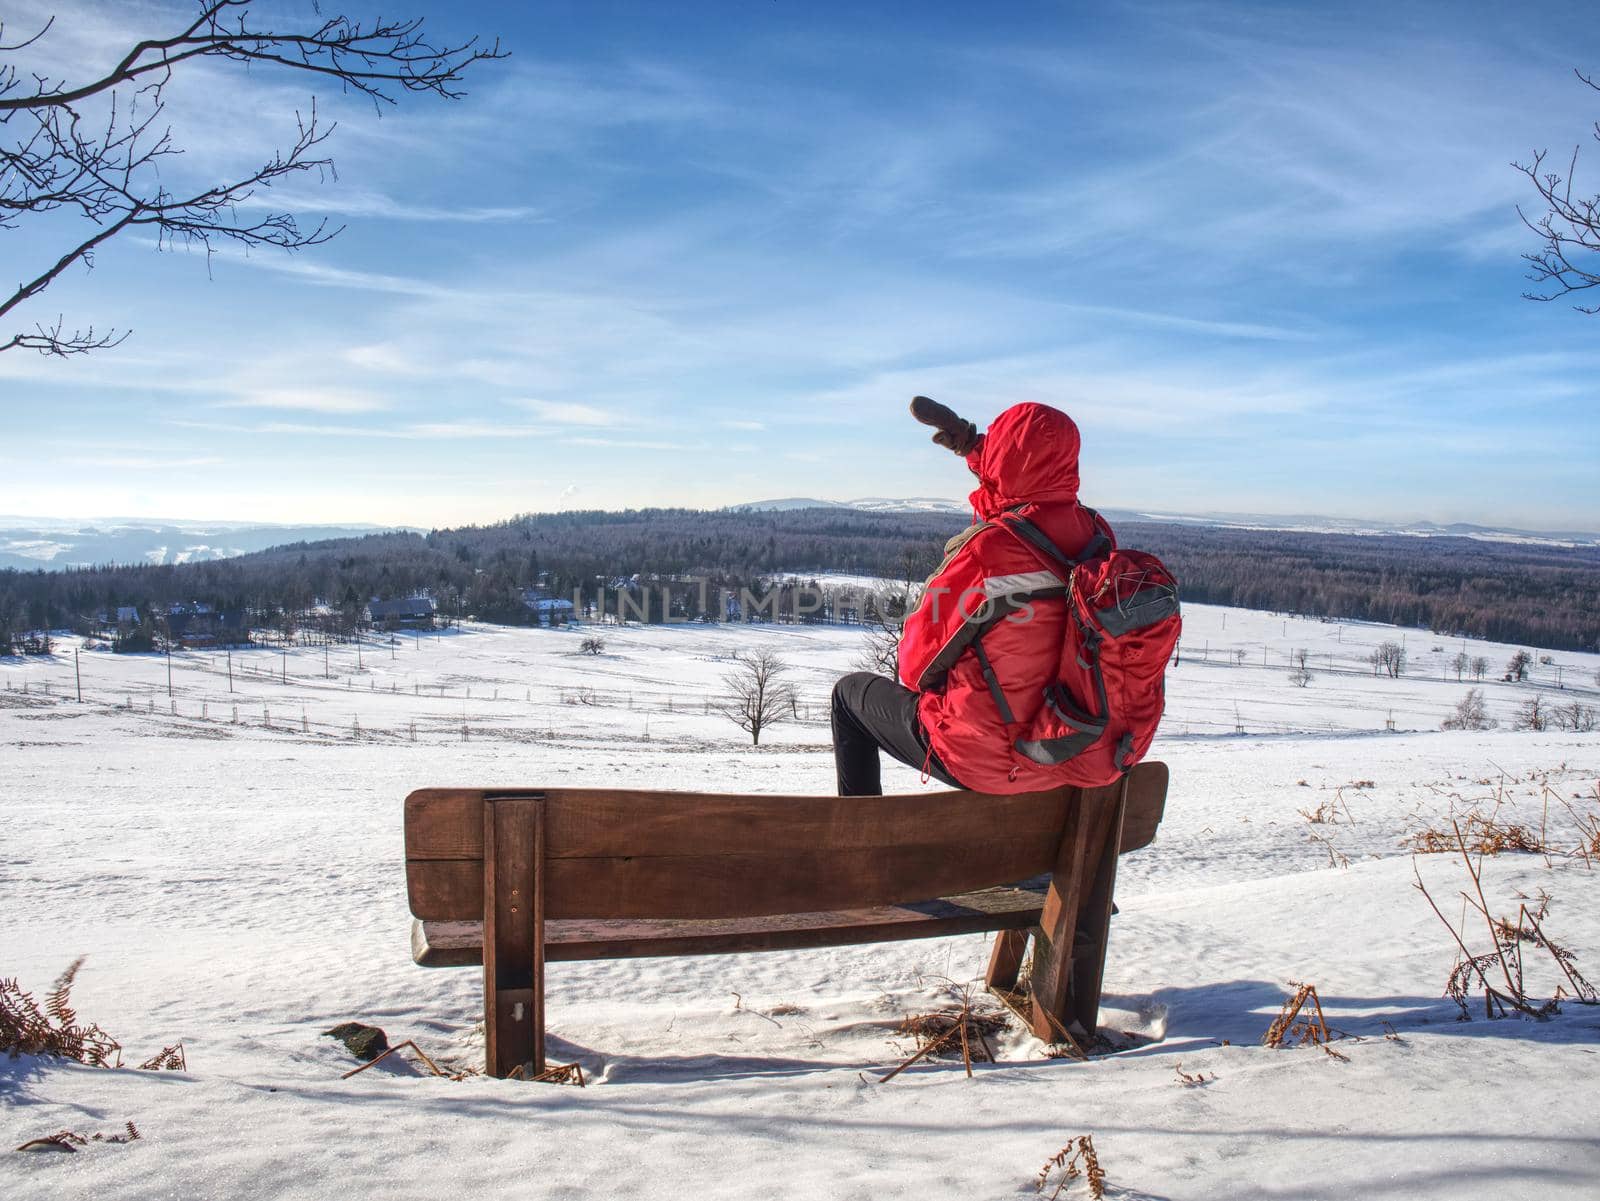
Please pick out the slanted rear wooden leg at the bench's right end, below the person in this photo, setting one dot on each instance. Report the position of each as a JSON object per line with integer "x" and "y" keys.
{"x": 1070, "y": 946}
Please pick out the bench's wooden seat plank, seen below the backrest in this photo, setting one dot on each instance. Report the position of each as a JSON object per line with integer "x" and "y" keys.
{"x": 460, "y": 944}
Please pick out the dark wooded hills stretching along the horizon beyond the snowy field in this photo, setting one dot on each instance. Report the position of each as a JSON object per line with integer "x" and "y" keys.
{"x": 1537, "y": 596}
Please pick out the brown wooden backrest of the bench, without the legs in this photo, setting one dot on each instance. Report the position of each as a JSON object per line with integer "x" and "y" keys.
{"x": 610, "y": 853}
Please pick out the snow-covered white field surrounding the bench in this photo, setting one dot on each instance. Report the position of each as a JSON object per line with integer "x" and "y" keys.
{"x": 230, "y": 860}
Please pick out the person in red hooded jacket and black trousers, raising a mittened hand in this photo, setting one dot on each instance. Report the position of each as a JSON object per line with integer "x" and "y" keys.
{"x": 983, "y": 645}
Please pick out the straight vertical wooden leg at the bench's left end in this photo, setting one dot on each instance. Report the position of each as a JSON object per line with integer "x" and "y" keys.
{"x": 514, "y": 936}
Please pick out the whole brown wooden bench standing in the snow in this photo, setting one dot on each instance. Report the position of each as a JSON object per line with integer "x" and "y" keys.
{"x": 518, "y": 879}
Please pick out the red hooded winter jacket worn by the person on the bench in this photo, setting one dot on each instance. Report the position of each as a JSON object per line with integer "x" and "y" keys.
{"x": 1026, "y": 461}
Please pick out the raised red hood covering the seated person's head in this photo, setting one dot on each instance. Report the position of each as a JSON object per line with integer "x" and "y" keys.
{"x": 1030, "y": 455}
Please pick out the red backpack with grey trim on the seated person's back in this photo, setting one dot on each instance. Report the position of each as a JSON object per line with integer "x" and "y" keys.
{"x": 1122, "y": 626}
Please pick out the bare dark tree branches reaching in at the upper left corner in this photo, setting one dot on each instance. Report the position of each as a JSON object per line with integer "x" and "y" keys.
{"x": 84, "y": 161}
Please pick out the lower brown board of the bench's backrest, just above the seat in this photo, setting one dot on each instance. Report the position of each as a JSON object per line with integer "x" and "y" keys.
{"x": 737, "y": 887}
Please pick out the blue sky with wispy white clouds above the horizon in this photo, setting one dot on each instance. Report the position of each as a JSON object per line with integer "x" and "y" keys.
{"x": 702, "y": 253}
